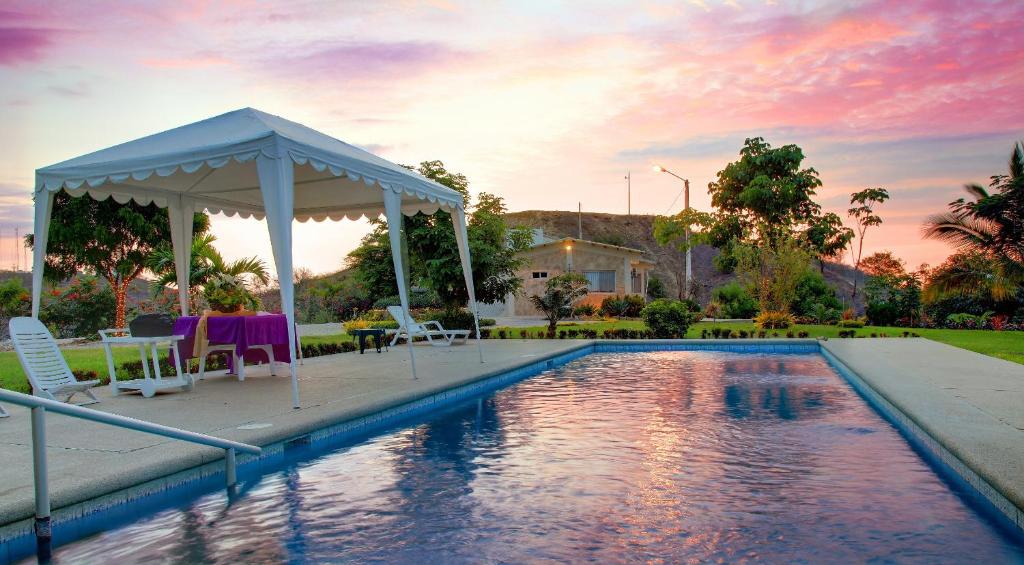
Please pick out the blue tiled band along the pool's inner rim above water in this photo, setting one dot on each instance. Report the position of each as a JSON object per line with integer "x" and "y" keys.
{"x": 406, "y": 407}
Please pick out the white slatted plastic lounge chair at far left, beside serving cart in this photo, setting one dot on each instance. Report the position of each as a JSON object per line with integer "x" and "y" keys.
{"x": 48, "y": 371}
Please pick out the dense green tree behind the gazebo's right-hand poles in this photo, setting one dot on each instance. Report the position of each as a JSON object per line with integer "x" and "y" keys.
{"x": 434, "y": 256}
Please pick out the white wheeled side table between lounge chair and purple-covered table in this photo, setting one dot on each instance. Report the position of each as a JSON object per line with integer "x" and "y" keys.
{"x": 148, "y": 352}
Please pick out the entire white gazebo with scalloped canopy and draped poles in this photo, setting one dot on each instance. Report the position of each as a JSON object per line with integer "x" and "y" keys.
{"x": 255, "y": 165}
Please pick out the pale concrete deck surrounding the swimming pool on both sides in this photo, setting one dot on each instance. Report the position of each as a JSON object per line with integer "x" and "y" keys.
{"x": 970, "y": 404}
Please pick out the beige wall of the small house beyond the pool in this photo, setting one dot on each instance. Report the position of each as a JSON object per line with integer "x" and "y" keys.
{"x": 557, "y": 260}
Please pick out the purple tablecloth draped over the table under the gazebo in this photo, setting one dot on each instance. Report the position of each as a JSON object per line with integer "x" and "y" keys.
{"x": 243, "y": 332}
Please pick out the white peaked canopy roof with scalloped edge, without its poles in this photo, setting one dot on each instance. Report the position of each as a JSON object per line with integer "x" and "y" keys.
{"x": 212, "y": 164}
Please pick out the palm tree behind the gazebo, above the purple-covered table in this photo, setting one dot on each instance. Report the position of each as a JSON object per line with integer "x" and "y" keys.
{"x": 207, "y": 264}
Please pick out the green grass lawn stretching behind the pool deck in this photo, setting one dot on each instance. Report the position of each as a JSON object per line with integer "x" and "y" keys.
{"x": 1006, "y": 345}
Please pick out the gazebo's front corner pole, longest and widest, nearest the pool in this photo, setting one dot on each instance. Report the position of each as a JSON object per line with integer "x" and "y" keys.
{"x": 277, "y": 182}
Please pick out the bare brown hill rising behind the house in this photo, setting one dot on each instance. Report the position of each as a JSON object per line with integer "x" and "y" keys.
{"x": 637, "y": 232}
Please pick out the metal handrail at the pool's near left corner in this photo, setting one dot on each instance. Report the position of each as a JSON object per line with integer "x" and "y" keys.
{"x": 39, "y": 408}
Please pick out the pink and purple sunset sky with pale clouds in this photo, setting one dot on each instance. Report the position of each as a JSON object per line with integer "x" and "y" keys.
{"x": 547, "y": 105}
